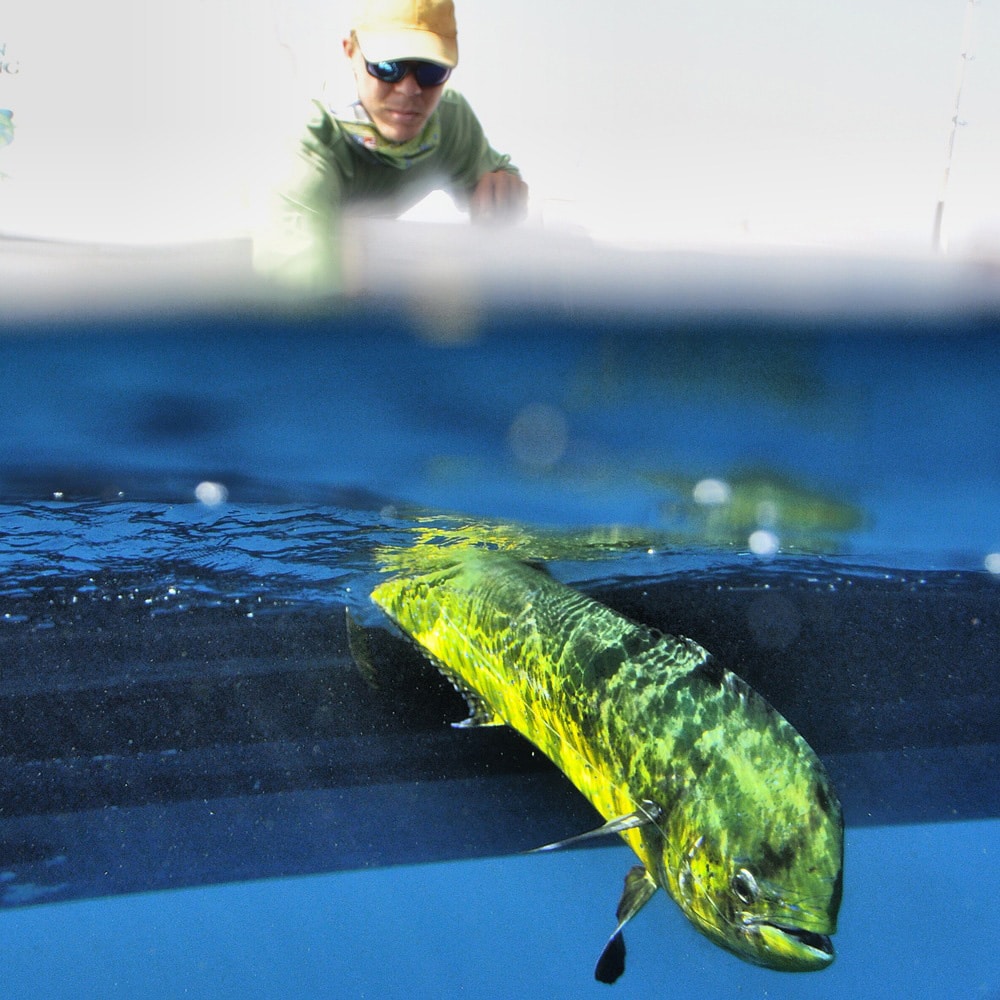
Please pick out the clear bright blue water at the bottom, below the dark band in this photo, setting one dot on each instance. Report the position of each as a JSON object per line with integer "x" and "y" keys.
{"x": 512, "y": 927}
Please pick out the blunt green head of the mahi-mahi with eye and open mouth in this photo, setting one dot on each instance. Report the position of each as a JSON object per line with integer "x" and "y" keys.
{"x": 752, "y": 849}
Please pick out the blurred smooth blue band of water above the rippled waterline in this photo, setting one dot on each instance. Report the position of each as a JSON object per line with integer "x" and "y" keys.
{"x": 362, "y": 403}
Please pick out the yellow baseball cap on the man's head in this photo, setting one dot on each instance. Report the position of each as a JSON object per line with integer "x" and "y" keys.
{"x": 408, "y": 29}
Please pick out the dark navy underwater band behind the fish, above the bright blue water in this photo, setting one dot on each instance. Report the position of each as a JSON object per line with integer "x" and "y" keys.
{"x": 231, "y": 735}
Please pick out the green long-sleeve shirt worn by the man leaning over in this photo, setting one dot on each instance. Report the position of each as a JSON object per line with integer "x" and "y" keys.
{"x": 342, "y": 160}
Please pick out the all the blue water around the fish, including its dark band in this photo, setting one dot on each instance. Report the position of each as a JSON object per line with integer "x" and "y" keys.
{"x": 202, "y": 794}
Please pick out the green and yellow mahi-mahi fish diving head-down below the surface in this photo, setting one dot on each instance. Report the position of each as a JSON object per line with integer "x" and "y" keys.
{"x": 726, "y": 806}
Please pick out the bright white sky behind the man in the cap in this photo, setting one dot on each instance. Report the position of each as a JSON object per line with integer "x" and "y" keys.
{"x": 671, "y": 123}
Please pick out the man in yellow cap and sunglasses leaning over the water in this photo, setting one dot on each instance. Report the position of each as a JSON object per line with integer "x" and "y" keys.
{"x": 404, "y": 136}
